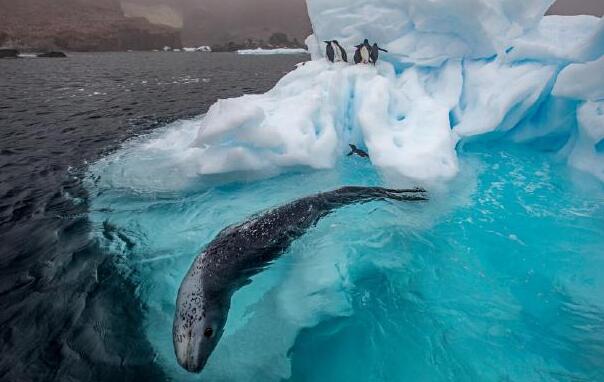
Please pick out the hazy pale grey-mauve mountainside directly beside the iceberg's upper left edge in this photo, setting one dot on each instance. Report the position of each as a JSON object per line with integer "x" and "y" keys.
{"x": 211, "y": 22}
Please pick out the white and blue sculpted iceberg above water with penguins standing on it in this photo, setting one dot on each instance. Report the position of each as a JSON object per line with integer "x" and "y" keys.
{"x": 456, "y": 70}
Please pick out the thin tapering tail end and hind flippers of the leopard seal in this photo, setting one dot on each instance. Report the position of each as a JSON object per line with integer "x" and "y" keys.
{"x": 350, "y": 195}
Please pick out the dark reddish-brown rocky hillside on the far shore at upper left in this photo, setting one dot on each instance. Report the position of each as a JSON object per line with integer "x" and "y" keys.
{"x": 79, "y": 25}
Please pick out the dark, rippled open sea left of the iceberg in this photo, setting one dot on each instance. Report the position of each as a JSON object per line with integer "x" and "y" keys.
{"x": 65, "y": 314}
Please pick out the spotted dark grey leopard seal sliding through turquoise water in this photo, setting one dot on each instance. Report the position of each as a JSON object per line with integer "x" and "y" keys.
{"x": 241, "y": 251}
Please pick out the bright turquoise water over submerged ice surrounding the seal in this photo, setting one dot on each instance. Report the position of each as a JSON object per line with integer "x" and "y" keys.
{"x": 500, "y": 276}
